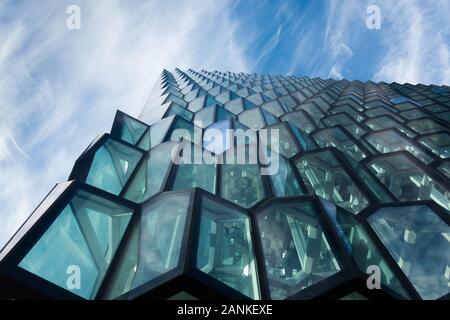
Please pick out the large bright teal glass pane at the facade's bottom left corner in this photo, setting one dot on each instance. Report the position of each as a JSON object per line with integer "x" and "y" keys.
{"x": 84, "y": 237}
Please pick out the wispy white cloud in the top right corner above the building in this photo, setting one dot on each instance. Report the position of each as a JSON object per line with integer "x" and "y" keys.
{"x": 417, "y": 42}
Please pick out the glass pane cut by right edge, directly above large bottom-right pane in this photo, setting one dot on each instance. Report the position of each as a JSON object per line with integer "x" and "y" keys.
{"x": 407, "y": 181}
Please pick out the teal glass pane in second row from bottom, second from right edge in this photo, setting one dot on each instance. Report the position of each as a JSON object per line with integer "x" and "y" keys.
{"x": 326, "y": 177}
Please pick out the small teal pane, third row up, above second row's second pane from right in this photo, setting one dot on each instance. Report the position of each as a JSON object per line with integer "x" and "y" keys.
{"x": 336, "y": 137}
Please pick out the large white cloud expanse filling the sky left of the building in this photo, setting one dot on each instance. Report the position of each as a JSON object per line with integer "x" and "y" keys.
{"x": 59, "y": 87}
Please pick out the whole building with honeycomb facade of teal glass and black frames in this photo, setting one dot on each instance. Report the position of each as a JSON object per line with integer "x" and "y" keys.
{"x": 360, "y": 192}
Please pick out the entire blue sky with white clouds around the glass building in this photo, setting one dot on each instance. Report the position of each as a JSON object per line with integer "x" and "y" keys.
{"x": 59, "y": 88}
